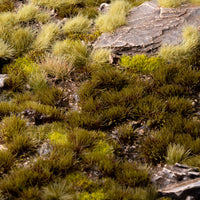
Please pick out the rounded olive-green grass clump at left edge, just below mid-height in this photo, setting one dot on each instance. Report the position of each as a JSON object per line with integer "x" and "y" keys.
{"x": 12, "y": 126}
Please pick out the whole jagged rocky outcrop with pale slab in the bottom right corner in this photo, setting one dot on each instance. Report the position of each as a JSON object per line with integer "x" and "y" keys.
{"x": 179, "y": 182}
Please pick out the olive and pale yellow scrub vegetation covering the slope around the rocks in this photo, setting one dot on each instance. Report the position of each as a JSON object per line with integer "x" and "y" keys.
{"x": 67, "y": 115}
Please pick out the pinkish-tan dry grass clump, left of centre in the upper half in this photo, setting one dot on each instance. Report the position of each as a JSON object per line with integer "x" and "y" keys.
{"x": 56, "y": 66}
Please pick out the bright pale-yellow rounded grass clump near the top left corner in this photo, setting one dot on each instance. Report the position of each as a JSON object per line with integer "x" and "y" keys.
{"x": 27, "y": 13}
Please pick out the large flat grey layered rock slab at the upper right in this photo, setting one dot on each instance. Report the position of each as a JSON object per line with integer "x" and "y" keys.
{"x": 149, "y": 26}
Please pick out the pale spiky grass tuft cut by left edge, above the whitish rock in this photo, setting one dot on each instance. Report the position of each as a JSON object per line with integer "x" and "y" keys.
{"x": 6, "y": 51}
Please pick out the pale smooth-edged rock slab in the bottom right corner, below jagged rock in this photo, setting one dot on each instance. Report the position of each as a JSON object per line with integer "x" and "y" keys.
{"x": 184, "y": 190}
